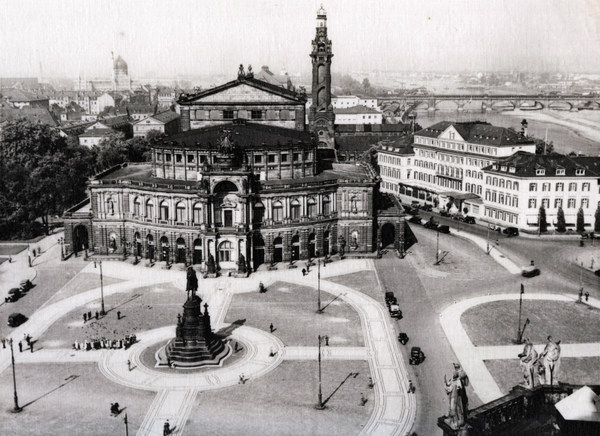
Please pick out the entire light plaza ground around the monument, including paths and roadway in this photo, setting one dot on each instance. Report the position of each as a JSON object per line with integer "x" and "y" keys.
{"x": 279, "y": 367}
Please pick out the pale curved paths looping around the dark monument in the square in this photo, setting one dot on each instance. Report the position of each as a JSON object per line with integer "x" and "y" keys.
{"x": 393, "y": 411}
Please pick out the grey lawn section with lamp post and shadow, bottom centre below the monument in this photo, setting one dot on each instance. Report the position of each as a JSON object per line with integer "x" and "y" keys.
{"x": 282, "y": 403}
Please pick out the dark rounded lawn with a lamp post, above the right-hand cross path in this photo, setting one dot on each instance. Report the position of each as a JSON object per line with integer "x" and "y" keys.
{"x": 564, "y": 321}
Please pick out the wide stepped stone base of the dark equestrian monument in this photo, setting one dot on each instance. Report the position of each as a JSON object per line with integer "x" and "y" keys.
{"x": 192, "y": 355}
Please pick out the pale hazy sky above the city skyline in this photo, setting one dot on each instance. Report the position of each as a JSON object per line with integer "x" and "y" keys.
{"x": 166, "y": 38}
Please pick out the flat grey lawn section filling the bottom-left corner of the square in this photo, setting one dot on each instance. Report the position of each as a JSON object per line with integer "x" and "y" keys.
{"x": 55, "y": 404}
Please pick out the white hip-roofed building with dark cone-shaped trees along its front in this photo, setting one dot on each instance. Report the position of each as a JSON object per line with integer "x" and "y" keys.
{"x": 516, "y": 188}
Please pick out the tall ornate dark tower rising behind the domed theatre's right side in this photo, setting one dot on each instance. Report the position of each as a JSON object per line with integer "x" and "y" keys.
{"x": 321, "y": 117}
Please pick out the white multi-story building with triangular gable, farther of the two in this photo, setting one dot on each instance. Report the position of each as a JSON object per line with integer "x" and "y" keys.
{"x": 450, "y": 157}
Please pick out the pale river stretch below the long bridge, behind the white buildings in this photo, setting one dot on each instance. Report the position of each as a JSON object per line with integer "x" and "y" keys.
{"x": 569, "y": 131}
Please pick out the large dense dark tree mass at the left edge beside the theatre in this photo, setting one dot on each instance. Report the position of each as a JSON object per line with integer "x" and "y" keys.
{"x": 40, "y": 175}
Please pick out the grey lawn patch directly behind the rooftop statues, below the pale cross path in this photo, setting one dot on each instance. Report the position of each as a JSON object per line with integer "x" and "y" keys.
{"x": 576, "y": 370}
